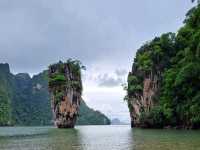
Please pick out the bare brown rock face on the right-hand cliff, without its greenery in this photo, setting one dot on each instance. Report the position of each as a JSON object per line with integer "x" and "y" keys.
{"x": 143, "y": 100}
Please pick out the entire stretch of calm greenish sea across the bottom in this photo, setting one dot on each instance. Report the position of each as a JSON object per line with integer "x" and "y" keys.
{"x": 97, "y": 138}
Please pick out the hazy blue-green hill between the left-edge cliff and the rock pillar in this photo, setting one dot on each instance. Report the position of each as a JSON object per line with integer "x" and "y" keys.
{"x": 30, "y": 104}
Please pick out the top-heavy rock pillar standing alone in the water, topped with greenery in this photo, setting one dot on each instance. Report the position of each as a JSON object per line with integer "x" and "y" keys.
{"x": 65, "y": 87}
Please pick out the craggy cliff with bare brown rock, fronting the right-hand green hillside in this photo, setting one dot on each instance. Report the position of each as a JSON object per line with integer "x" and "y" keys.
{"x": 145, "y": 79}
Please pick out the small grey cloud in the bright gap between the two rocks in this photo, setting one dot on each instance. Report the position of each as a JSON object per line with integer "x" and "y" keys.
{"x": 108, "y": 81}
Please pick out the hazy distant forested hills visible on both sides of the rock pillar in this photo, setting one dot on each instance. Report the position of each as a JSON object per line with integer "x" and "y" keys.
{"x": 25, "y": 101}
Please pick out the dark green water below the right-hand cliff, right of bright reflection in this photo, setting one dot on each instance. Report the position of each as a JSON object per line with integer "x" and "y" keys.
{"x": 166, "y": 139}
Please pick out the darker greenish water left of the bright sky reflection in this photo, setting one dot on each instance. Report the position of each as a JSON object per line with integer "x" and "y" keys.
{"x": 42, "y": 138}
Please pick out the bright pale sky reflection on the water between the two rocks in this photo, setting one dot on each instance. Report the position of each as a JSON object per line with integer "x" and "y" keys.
{"x": 106, "y": 138}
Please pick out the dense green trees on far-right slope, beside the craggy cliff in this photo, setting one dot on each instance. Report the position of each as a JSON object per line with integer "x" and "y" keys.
{"x": 181, "y": 89}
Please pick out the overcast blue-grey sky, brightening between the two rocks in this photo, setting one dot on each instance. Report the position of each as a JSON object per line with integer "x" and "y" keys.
{"x": 103, "y": 34}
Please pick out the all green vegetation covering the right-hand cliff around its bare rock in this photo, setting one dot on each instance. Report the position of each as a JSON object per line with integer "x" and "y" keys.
{"x": 175, "y": 60}
